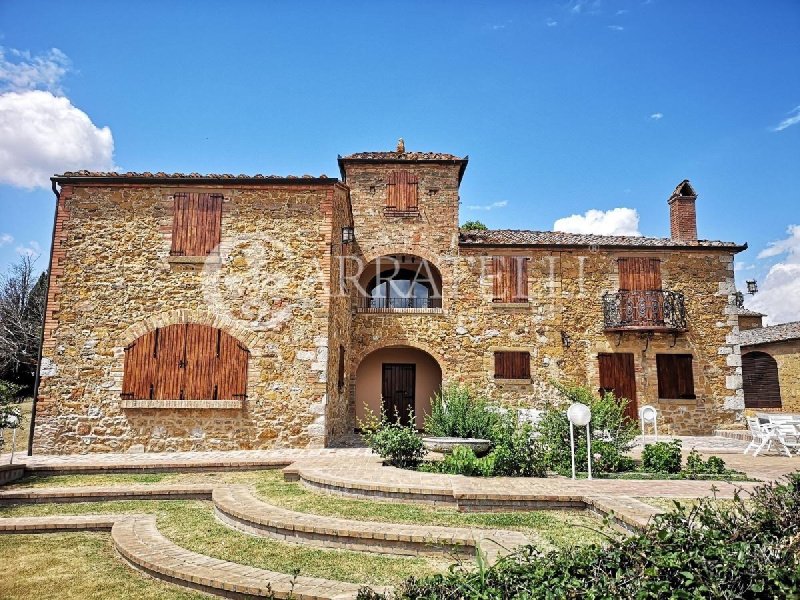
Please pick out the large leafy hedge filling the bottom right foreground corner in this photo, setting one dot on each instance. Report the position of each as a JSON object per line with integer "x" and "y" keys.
{"x": 719, "y": 551}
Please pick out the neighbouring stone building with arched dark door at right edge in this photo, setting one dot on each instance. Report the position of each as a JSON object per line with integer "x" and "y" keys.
{"x": 770, "y": 365}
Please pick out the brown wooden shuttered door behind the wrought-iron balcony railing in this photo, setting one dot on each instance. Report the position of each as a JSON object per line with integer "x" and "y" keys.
{"x": 641, "y": 300}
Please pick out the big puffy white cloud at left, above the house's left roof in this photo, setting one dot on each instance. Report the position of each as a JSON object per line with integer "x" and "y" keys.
{"x": 42, "y": 134}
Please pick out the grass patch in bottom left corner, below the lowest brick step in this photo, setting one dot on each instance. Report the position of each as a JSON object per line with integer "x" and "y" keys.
{"x": 75, "y": 566}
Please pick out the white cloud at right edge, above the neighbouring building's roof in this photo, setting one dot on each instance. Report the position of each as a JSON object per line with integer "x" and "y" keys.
{"x": 779, "y": 292}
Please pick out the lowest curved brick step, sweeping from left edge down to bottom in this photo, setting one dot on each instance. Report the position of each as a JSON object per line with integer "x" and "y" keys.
{"x": 139, "y": 542}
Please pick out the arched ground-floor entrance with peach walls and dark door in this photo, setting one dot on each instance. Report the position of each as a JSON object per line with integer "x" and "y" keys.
{"x": 397, "y": 379}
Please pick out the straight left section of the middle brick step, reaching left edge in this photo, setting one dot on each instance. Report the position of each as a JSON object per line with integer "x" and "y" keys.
{"x": 186, "y": 491}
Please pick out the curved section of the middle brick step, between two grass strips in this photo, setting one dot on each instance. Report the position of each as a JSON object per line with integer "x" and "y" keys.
{"x": 239, "y": 508}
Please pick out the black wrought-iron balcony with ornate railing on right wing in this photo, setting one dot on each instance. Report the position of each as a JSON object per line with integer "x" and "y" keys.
{"x": 644, "y": 310}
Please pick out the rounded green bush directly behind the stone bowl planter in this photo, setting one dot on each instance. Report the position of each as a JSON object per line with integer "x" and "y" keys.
{"x": 457, "y": 412}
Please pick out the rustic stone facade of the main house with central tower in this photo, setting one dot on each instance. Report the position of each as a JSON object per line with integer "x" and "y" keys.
{"x": 289, "y": 289}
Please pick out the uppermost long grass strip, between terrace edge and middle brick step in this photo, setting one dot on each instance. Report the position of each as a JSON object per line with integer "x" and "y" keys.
{"x": 545, "y": 528}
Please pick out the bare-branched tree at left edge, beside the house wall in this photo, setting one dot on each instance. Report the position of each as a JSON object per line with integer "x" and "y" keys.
{"x": 22, "y": 300}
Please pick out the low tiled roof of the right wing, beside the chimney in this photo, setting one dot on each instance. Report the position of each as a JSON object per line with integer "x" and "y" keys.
{"x": 519, "y": 237}
